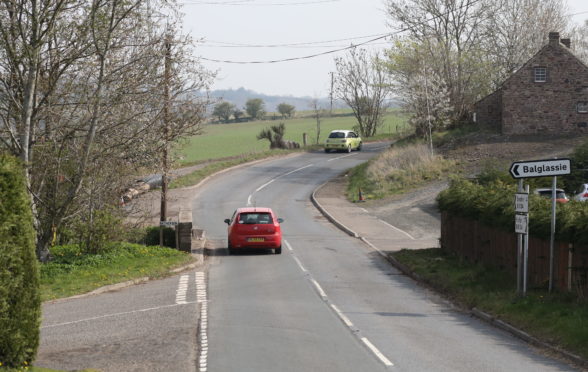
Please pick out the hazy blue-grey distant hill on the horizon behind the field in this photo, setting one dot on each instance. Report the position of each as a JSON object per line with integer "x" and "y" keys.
{"x": 238, "y": 97}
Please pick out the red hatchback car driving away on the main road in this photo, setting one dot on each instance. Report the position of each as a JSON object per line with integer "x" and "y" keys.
{"x": 254, "y": 227}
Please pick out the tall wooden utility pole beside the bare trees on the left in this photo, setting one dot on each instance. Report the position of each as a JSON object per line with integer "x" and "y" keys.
{"x": 166, "y": 104}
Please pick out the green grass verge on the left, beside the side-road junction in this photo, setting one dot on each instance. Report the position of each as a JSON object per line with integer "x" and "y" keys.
{"x": 71, "y": 272}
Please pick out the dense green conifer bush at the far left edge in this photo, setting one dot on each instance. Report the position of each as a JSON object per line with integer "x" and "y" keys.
{"x": 20, "y": 306}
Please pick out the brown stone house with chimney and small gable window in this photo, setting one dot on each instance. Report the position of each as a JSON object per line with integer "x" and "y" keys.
{"x": 548, "y": 94}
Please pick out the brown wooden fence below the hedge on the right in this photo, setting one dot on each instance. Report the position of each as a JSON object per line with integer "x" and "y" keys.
{"x": 479, "y": 243}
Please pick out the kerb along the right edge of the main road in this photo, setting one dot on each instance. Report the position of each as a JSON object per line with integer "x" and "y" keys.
{"x": 474, "y": 312}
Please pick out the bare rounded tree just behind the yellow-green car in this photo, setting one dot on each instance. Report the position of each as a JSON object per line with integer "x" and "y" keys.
{"x": 362, "y": 83}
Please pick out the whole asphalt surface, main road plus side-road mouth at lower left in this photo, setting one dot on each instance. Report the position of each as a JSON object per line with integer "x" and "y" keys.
{"x": 327, "y": 303}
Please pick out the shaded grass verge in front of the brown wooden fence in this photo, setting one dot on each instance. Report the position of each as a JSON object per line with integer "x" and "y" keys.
{"x": 559, "y": 318}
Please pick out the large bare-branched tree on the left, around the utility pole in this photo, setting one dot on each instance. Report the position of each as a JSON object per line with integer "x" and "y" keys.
{"x": 96, "y": 102}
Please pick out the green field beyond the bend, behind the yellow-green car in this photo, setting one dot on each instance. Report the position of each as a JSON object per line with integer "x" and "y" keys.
{"x": 226, "y": 140}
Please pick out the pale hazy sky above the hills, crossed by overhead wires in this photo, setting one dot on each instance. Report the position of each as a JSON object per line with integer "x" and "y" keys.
{"x": 270, "y": 30}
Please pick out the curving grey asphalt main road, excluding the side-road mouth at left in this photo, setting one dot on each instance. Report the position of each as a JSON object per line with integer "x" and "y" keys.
{"x": 328, "y": 303}
